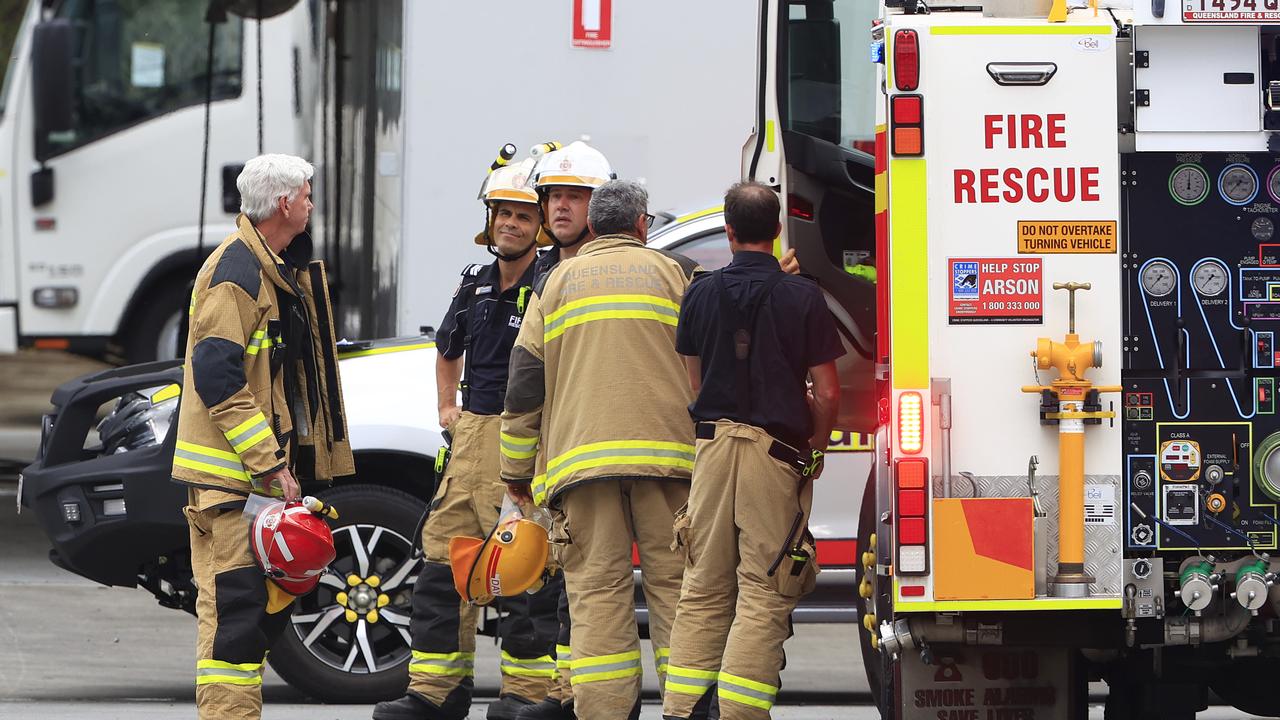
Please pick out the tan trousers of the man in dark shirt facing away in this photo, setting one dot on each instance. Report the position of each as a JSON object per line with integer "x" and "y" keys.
{"x": 733, "y": 617}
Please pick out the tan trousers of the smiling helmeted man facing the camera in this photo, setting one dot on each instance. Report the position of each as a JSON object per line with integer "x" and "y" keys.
{"x": 444, "y": 626}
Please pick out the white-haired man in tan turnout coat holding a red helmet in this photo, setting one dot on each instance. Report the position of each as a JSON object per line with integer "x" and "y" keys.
{"x": 263, "y": 409}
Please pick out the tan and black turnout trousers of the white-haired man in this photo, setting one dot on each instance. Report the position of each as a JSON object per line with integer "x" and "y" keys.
{"x": 234, "y": 630}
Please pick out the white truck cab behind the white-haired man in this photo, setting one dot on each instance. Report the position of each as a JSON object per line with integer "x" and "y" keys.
{"x": 102, "y": 113}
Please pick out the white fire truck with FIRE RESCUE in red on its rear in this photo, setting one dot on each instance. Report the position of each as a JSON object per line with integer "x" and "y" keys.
{"x": 1073, "y": 371}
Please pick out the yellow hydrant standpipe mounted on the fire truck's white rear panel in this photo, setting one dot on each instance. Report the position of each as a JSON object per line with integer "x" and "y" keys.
{"x": 1071, "y": 403}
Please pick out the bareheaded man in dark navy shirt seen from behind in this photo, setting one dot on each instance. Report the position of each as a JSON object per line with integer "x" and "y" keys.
{"x": 752, "y": 335}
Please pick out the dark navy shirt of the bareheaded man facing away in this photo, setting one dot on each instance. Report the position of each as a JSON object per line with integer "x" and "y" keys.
{"x": 794, "y": 331}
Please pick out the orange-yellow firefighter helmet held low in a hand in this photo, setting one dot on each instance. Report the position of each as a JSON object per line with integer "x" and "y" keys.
{"x": 510, "y": 562}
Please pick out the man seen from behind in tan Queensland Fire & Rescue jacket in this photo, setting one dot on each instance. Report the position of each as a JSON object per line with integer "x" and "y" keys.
{"x": 596, "y": 366}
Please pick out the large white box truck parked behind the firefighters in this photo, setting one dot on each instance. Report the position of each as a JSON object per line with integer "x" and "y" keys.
{"x": 102, "y": 139}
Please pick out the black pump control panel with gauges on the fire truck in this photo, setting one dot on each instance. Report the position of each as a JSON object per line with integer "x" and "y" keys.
{"x": 1201, "y": 277}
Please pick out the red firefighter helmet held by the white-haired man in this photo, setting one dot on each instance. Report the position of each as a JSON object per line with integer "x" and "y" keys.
{"x": 292, "y": 545}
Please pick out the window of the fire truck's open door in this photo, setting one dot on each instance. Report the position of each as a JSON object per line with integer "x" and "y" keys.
{"x": 830, "y": 86}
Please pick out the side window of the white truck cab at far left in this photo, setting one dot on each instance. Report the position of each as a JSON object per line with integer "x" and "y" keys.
{"x": 140, "y": 60}
